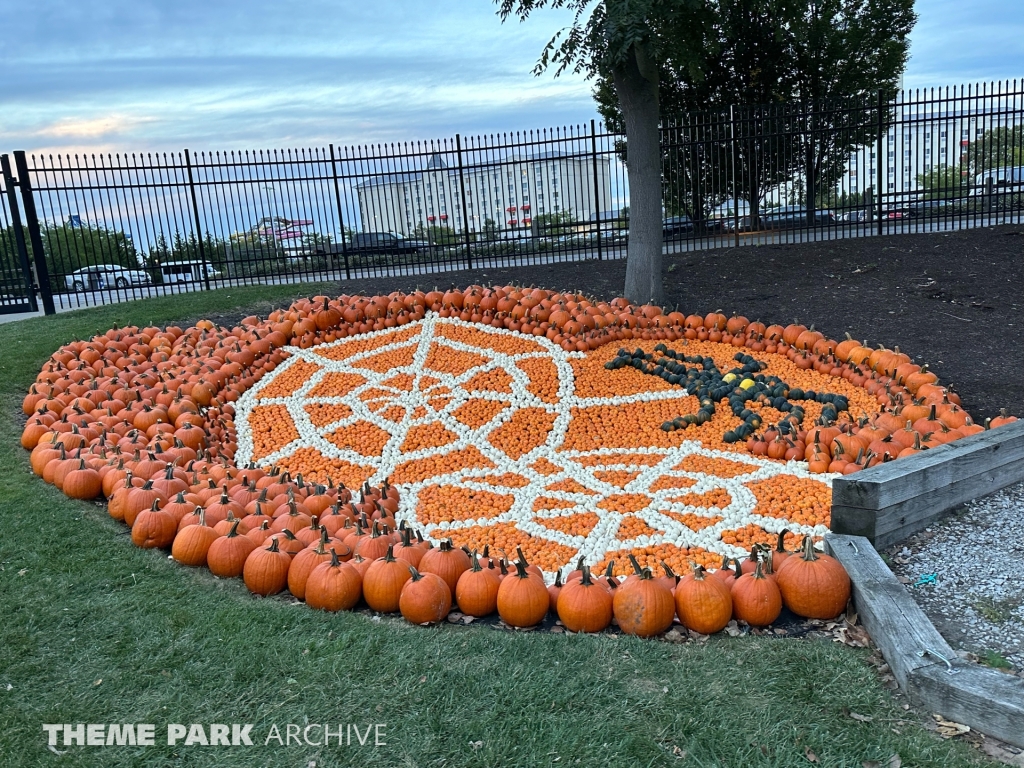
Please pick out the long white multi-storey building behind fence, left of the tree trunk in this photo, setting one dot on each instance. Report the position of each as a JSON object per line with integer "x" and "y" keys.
{"x": 509, "y": 193}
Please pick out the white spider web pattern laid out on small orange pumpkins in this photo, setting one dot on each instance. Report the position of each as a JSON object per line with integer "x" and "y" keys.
{"x": 432, "y": 398}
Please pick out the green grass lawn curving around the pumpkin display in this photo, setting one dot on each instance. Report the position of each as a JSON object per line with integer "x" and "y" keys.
{"x": 94, "y": 630}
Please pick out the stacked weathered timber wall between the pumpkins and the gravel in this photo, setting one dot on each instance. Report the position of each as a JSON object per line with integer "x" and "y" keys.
{"x": 889, "y": 502}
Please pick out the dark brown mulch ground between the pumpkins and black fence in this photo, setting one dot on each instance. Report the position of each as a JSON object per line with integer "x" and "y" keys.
{"x": 954, "y": 301}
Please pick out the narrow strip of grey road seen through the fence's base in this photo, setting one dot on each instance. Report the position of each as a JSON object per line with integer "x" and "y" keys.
{"x": 70, "y": 302}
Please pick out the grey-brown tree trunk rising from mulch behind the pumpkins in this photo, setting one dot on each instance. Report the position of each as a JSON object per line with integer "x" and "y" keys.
{"x": 636, "y": 82}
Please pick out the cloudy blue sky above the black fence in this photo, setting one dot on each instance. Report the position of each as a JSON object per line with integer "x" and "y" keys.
{"x": 140, "y": 75}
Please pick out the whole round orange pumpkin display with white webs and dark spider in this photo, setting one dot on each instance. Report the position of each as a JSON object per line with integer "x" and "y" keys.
{"x": 559, "y": 411}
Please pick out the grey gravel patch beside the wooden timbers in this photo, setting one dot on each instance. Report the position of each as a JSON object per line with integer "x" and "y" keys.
{"x": 977, "y": 599}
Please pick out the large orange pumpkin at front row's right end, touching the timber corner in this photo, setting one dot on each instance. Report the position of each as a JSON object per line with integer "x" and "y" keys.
{"x": 814, "y": 585}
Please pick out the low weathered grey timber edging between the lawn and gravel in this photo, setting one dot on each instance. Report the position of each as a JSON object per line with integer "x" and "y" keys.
{"x": 926, "y": 668}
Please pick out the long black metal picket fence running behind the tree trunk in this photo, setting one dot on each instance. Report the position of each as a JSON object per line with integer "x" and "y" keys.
{"x": 95, "y": 230}
